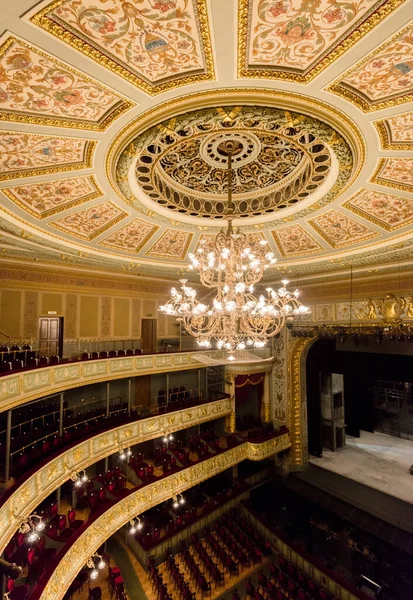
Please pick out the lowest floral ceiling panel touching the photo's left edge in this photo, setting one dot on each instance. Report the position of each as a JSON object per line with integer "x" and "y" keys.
{"x": 47, "y": 198}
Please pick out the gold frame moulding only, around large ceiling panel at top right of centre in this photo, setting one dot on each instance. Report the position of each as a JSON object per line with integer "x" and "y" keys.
{"x": 246, "y": 71}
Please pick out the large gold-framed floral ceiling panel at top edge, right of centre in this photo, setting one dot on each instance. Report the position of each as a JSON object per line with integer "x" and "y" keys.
{"x": 296, "y": 40}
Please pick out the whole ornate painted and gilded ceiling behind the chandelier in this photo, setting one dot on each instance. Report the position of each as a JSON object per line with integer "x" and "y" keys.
{"x": 112, "y": 112}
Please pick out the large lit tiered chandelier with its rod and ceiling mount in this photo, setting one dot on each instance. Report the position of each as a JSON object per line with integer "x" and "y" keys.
{"x": 237, "y": 318}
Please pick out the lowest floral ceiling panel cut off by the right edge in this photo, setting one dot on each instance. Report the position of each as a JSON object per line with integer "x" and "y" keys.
{"x": 386, "y": 210}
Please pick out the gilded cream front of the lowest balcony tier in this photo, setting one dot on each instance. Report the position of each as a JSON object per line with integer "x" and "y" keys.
{"x": 144, "y": 499}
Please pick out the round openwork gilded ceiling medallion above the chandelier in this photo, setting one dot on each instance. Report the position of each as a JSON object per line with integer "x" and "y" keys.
{"x": 282, "y": 158}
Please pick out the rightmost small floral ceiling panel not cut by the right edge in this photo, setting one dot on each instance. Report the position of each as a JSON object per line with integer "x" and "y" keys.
{"x": 340, "y": 230}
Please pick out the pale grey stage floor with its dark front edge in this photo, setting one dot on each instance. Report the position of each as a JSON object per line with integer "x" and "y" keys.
{"x": 371, "y": 473}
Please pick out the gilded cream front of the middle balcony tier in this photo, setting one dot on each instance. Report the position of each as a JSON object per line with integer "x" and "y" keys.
{"x": 49, "y": 477}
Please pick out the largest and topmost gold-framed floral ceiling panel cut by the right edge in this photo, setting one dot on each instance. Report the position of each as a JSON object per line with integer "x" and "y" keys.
{"x": 384, "y": 78}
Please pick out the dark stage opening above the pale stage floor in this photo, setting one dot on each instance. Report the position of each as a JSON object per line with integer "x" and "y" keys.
{"x": 358, "y": 383}
